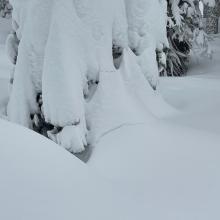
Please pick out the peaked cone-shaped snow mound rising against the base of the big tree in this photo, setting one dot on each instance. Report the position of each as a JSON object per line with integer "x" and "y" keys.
{"x": 124, "y": 97}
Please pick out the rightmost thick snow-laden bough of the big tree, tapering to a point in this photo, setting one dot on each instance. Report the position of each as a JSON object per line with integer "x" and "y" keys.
{"x": 147, "y": 33}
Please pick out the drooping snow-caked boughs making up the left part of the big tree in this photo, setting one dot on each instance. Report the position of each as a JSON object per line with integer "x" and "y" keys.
{"x": 62, "y": 49}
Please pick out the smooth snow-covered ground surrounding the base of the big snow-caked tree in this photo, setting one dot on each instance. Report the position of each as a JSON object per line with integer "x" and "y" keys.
{"x": 164, "y": 169}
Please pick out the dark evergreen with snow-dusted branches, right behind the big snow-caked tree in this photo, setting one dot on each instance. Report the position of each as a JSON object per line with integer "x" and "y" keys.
{"x": 185, "y": 33}
